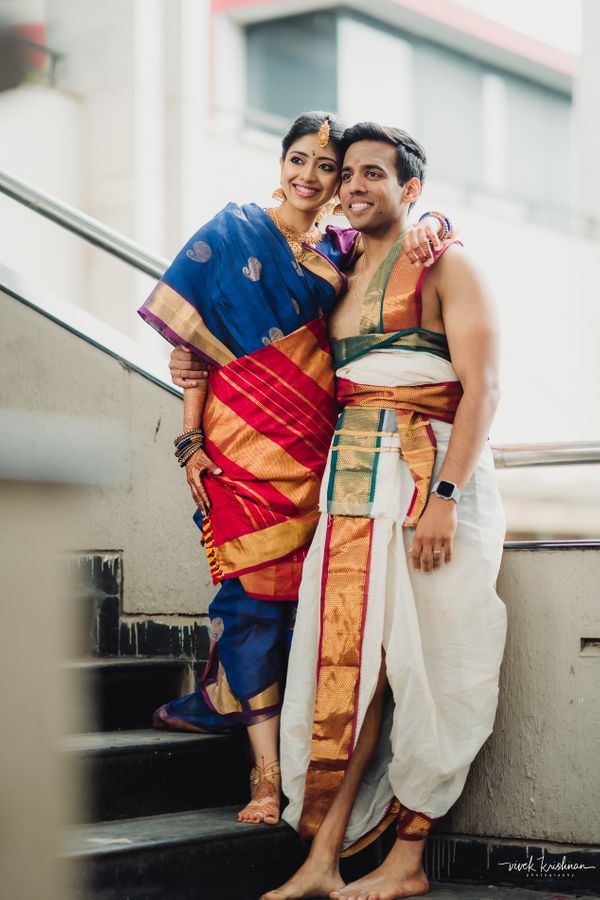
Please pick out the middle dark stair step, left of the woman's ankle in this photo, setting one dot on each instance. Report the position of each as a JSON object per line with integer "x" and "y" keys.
{"x": 144, "y": 772}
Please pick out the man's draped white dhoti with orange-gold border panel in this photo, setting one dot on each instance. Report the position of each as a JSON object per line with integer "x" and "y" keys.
{"x": 443, "y": 634}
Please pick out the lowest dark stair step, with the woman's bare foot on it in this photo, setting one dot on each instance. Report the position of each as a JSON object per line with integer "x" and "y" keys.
{"x": 183, "y": 856}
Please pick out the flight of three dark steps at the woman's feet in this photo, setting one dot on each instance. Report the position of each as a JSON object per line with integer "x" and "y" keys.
{"x": 160, "y": 812}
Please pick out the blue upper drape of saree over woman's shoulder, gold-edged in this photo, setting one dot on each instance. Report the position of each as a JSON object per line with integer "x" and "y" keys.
{"x": 236, "y": 286}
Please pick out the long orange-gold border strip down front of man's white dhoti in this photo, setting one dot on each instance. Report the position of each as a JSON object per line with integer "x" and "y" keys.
{"x": 344, "y": 590}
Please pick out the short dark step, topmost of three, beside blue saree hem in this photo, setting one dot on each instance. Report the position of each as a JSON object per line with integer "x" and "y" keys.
{"x": 124, "y": 692}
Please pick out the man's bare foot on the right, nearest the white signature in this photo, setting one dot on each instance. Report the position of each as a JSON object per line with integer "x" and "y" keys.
{"x": 400, "y": 875}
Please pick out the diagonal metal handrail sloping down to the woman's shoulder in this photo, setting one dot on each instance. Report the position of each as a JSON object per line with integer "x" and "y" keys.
{"x": 84, "y": 226}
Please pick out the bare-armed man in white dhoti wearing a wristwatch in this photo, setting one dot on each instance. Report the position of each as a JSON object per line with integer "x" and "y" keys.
{"x": 397, "y": 594}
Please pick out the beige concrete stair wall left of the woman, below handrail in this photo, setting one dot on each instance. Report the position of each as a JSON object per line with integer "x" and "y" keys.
{"x": 147, "y": 513}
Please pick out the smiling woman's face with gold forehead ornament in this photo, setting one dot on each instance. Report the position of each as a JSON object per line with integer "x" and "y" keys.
{"x": 309, "y": 174}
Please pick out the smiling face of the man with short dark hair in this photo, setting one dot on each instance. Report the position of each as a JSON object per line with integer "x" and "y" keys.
{"x": 370, "y": 194}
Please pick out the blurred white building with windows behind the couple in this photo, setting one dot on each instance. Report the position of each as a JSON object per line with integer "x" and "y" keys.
{"x": 161, "y": 111}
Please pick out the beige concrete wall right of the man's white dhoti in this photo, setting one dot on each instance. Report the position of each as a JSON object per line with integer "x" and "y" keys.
{"x": 538, "y": 776}
